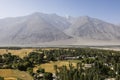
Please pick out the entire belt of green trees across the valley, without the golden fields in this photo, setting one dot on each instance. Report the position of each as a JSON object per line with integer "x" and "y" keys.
{"x": 105, "y": 63}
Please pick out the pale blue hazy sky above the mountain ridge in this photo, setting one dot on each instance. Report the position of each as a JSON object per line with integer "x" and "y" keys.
{"x": 108, "y": 10}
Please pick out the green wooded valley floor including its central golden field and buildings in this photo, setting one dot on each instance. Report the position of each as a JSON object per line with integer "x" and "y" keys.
{"x": 64, "y": 64}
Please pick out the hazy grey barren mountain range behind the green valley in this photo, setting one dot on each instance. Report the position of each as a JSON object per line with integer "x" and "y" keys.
{"x": 40, "y": 28}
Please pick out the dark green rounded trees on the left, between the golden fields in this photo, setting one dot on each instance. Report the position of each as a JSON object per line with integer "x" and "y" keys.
{"x": 9, "y": 61}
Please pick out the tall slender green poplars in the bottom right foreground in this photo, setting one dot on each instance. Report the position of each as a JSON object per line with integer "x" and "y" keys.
{"x": 98, "y": 71}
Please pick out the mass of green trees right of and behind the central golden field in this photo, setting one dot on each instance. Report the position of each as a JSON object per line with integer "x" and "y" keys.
{"x": 105, "y": 64}
